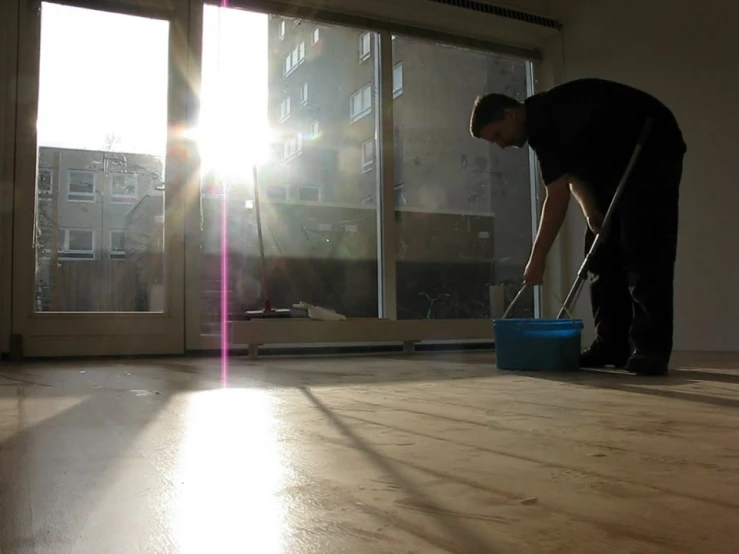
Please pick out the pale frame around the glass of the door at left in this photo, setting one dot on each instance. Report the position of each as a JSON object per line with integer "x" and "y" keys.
{"x": 101, "y": 333}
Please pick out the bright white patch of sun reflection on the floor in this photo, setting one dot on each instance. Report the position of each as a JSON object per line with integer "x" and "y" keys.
{"x": 230, "y": 473}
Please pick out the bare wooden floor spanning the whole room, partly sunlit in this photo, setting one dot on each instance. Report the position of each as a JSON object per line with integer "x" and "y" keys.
{"x": 421, "y": 454}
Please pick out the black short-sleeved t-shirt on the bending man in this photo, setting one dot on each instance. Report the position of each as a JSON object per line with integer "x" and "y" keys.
{"x": 589, "y": 127}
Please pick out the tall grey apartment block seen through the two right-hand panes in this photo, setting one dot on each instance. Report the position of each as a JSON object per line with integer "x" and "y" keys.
{"x": 322, "y": 101}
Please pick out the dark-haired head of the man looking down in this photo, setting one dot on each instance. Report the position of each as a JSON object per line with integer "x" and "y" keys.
{"x": 499, "y": 119}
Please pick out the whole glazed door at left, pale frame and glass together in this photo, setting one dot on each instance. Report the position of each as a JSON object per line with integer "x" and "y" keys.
{"x": 102, "y": 160}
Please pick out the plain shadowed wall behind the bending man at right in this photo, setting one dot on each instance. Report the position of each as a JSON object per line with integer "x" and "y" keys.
{"x": 684, "y": 52}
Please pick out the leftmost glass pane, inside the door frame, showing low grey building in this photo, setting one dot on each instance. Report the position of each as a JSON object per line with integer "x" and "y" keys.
{"x": 102, "y": 137}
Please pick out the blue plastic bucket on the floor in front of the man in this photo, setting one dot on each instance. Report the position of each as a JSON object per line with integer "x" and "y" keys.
{"x": 538, "y": 344}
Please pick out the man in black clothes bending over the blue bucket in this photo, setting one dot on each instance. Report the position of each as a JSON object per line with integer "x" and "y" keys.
{"x": 584, "y": 133}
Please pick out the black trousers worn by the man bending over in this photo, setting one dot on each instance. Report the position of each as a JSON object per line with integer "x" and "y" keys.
{"x": 632, "y": 273}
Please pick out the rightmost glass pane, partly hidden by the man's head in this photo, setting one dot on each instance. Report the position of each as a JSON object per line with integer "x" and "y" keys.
{"x": 463, "y": 205}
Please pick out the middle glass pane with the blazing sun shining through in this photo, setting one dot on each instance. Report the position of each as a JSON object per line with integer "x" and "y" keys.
{"x": 299, "y": 106}
